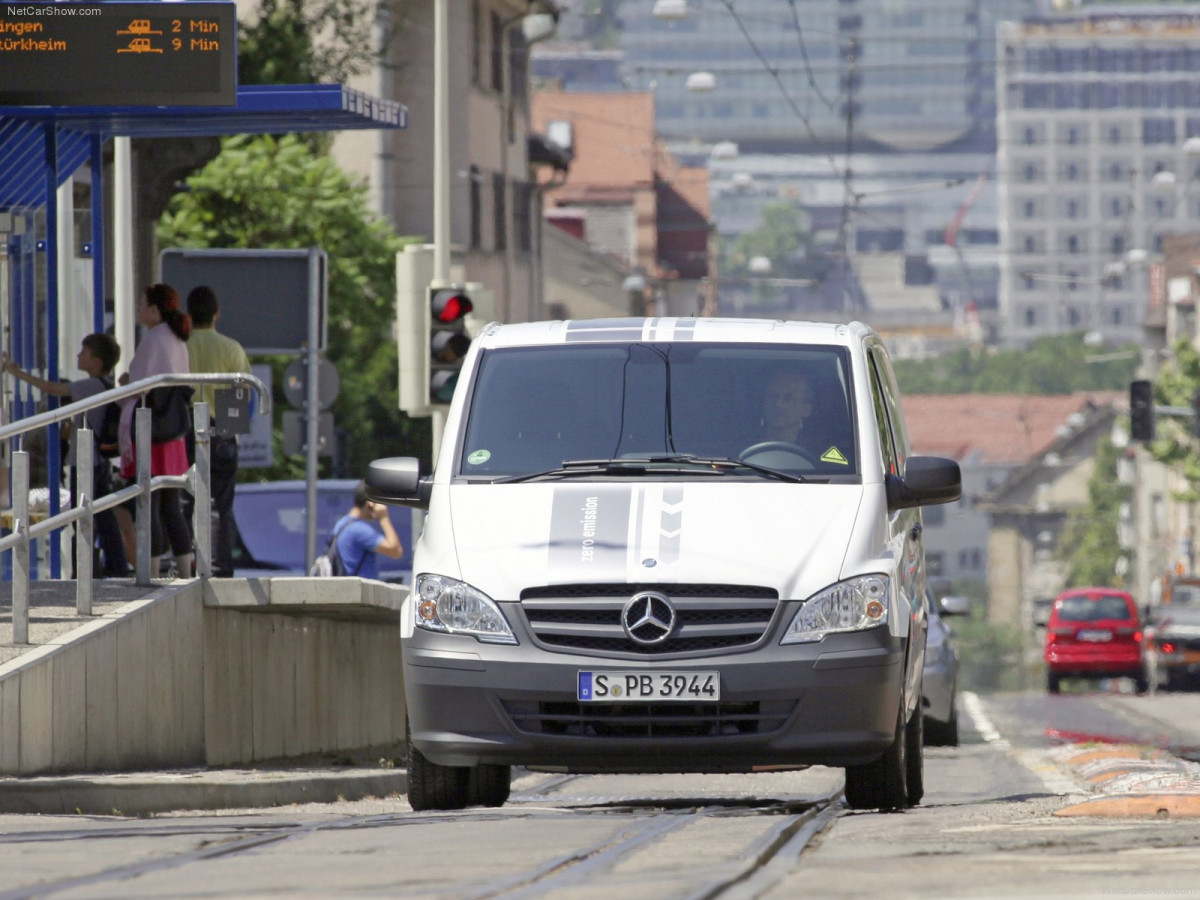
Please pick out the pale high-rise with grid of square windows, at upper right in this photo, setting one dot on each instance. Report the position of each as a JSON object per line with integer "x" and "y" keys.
{"x": 1099, "y": 155}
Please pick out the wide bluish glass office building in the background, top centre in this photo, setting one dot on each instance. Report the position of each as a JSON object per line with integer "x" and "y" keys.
{"x": 823, "y": 75}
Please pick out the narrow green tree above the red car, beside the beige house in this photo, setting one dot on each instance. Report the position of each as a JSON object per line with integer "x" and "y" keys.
{"x": 1090, "y": 544}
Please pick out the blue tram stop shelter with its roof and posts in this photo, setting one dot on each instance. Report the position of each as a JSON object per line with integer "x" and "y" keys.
{"x": 44, "y": 148}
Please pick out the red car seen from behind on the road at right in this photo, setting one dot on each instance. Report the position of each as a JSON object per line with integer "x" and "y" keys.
{"x": 1095, "y": 633}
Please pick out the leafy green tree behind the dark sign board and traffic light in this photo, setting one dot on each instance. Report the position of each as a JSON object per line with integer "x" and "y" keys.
{"x": 266, "y": 193}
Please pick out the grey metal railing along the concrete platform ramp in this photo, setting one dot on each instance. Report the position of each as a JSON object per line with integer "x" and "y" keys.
{"x": 85, "y": 507}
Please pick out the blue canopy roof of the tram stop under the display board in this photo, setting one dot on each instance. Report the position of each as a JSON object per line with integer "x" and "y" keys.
{"x": 261, "y": 110}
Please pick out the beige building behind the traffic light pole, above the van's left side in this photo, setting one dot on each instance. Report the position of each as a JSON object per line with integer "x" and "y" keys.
{"x": 495, "y": 201}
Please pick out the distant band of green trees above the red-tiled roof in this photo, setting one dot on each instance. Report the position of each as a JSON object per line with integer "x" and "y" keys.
{"x": 1060, "y": 364}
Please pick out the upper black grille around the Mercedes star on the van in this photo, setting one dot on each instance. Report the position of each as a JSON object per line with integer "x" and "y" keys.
{"x": 586, "y": 619}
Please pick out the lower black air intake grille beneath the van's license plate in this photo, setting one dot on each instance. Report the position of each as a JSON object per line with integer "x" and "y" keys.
{"x": 649, "y": 721}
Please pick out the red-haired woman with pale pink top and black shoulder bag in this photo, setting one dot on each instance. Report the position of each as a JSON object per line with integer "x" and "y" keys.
{"x": 163, "y": 351}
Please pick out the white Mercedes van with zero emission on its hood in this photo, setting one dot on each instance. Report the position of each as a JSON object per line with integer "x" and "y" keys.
{"x": 668, "y": 545}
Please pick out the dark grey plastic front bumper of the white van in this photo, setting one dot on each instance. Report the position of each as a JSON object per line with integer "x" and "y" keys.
{"x": 832, "y": 703}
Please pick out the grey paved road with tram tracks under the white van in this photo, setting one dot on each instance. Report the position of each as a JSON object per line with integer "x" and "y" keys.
{"x": 987, "y": 830}
